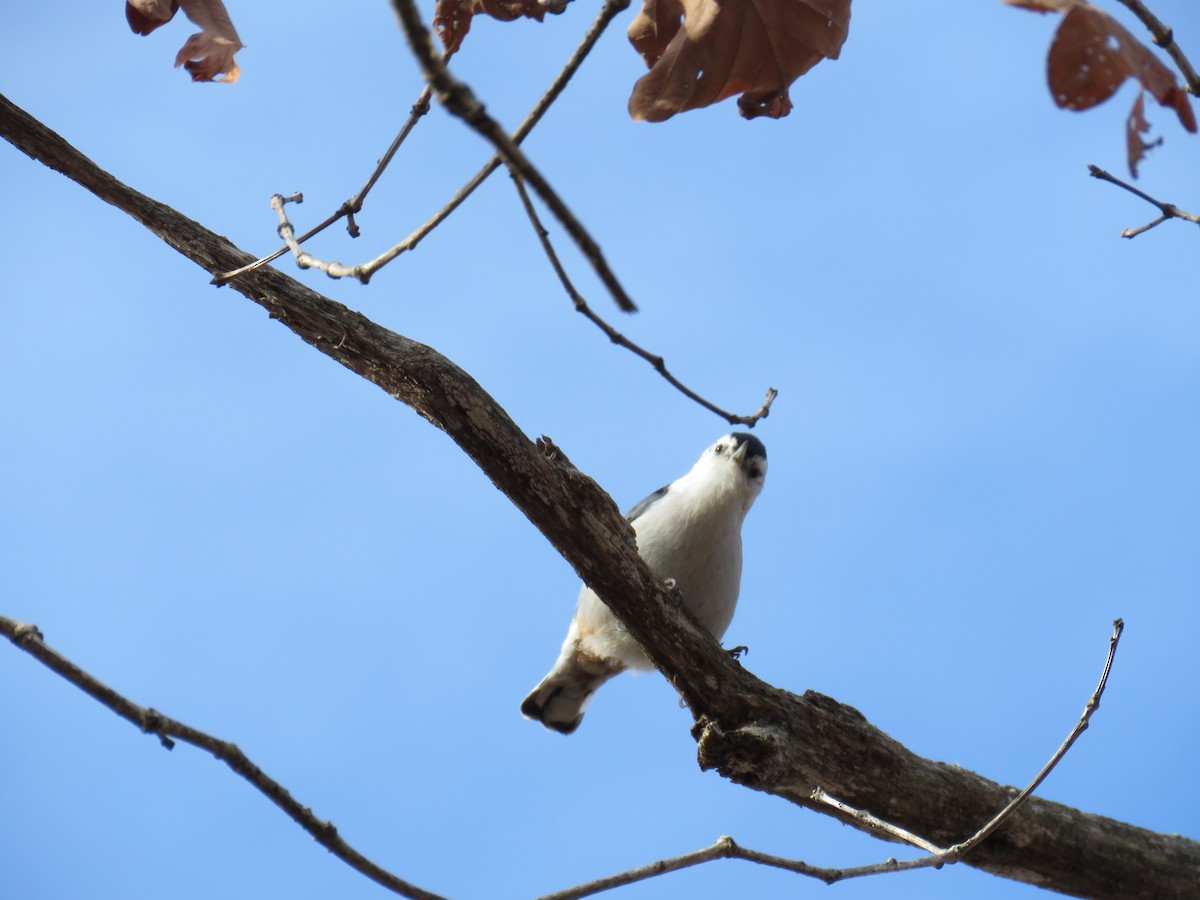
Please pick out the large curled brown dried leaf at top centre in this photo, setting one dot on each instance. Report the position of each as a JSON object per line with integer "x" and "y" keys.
{"x": 701, "y": 52}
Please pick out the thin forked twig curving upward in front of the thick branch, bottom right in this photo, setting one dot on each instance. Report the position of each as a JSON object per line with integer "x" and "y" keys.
{"x": 727, "y": 849}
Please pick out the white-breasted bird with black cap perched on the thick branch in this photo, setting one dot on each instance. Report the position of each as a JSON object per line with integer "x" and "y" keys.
{"x": 691, "y": 535}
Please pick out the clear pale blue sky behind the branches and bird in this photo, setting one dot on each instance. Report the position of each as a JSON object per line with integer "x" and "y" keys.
{"x": 985, "y": 449}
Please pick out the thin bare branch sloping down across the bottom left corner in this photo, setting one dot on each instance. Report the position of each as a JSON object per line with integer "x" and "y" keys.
{"x": 29, "y": 639}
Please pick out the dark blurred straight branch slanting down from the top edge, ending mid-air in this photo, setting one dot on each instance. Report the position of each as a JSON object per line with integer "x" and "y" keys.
{"x": 459, "y": 99}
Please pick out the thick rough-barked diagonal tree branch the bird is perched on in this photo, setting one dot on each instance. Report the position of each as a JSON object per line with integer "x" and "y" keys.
{"x": 753, "y": 734}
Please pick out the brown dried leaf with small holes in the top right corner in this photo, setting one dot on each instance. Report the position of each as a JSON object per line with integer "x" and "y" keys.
{"x": 1090, "y": 59}
